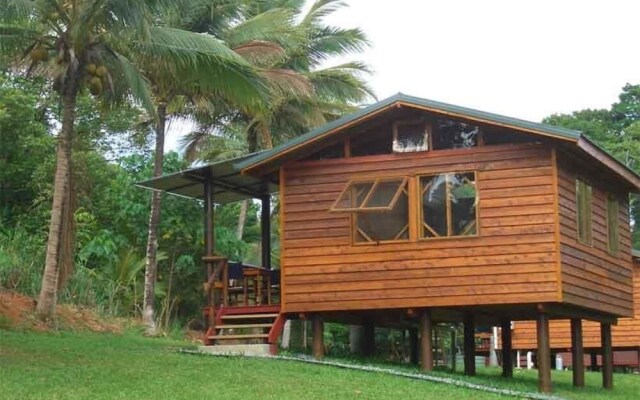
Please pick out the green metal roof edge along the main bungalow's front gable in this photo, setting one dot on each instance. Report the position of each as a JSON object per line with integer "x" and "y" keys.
{"x": 436, "y": 106}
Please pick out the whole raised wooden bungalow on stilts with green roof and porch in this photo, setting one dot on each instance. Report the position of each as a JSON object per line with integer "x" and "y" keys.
{"x": 412, "y": 212}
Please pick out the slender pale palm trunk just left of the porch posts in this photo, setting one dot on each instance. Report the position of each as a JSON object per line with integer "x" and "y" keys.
{"x": 151, "y": 266}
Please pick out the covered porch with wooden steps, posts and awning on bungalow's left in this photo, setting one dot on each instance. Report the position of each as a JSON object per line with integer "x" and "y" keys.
{"x": 241, "y": 301}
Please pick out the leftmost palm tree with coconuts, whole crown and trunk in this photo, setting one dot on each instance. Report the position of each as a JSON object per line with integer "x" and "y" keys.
{"x": 89, "y": 45}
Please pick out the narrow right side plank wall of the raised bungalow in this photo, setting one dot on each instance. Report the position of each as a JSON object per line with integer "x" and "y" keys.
{"x": 591, "y": 277}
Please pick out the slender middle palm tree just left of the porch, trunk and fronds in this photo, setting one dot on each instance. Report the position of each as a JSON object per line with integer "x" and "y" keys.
{"x": 214, "y": 73}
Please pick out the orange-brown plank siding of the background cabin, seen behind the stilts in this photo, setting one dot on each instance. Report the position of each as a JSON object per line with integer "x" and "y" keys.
{"x": 625, "y": 334}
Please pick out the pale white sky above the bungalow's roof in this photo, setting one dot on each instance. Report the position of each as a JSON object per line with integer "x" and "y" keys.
{"x": 524, "y": 59}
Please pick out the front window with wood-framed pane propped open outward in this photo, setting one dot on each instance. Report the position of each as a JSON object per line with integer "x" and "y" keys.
{"x": 380, "y": 209}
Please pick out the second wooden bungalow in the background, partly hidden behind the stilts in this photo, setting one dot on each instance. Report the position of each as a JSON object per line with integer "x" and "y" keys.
{"x": 625, "y": 336}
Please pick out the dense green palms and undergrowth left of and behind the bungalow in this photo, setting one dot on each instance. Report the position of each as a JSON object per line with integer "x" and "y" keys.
{"x": 93, "y": 86}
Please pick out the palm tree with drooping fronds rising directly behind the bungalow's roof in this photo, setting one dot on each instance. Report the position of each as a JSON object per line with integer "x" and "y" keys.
{"x": 304, "y": 93}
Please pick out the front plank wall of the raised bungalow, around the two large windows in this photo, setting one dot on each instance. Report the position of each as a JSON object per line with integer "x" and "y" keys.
{"x": 513, "y": 260}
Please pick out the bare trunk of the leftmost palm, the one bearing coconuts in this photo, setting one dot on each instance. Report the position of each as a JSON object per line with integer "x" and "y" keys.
{"x": 48, "y": 292}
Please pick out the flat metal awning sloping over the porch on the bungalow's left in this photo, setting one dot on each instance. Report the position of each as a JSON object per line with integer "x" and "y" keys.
{"x": 229, "y": 183}
